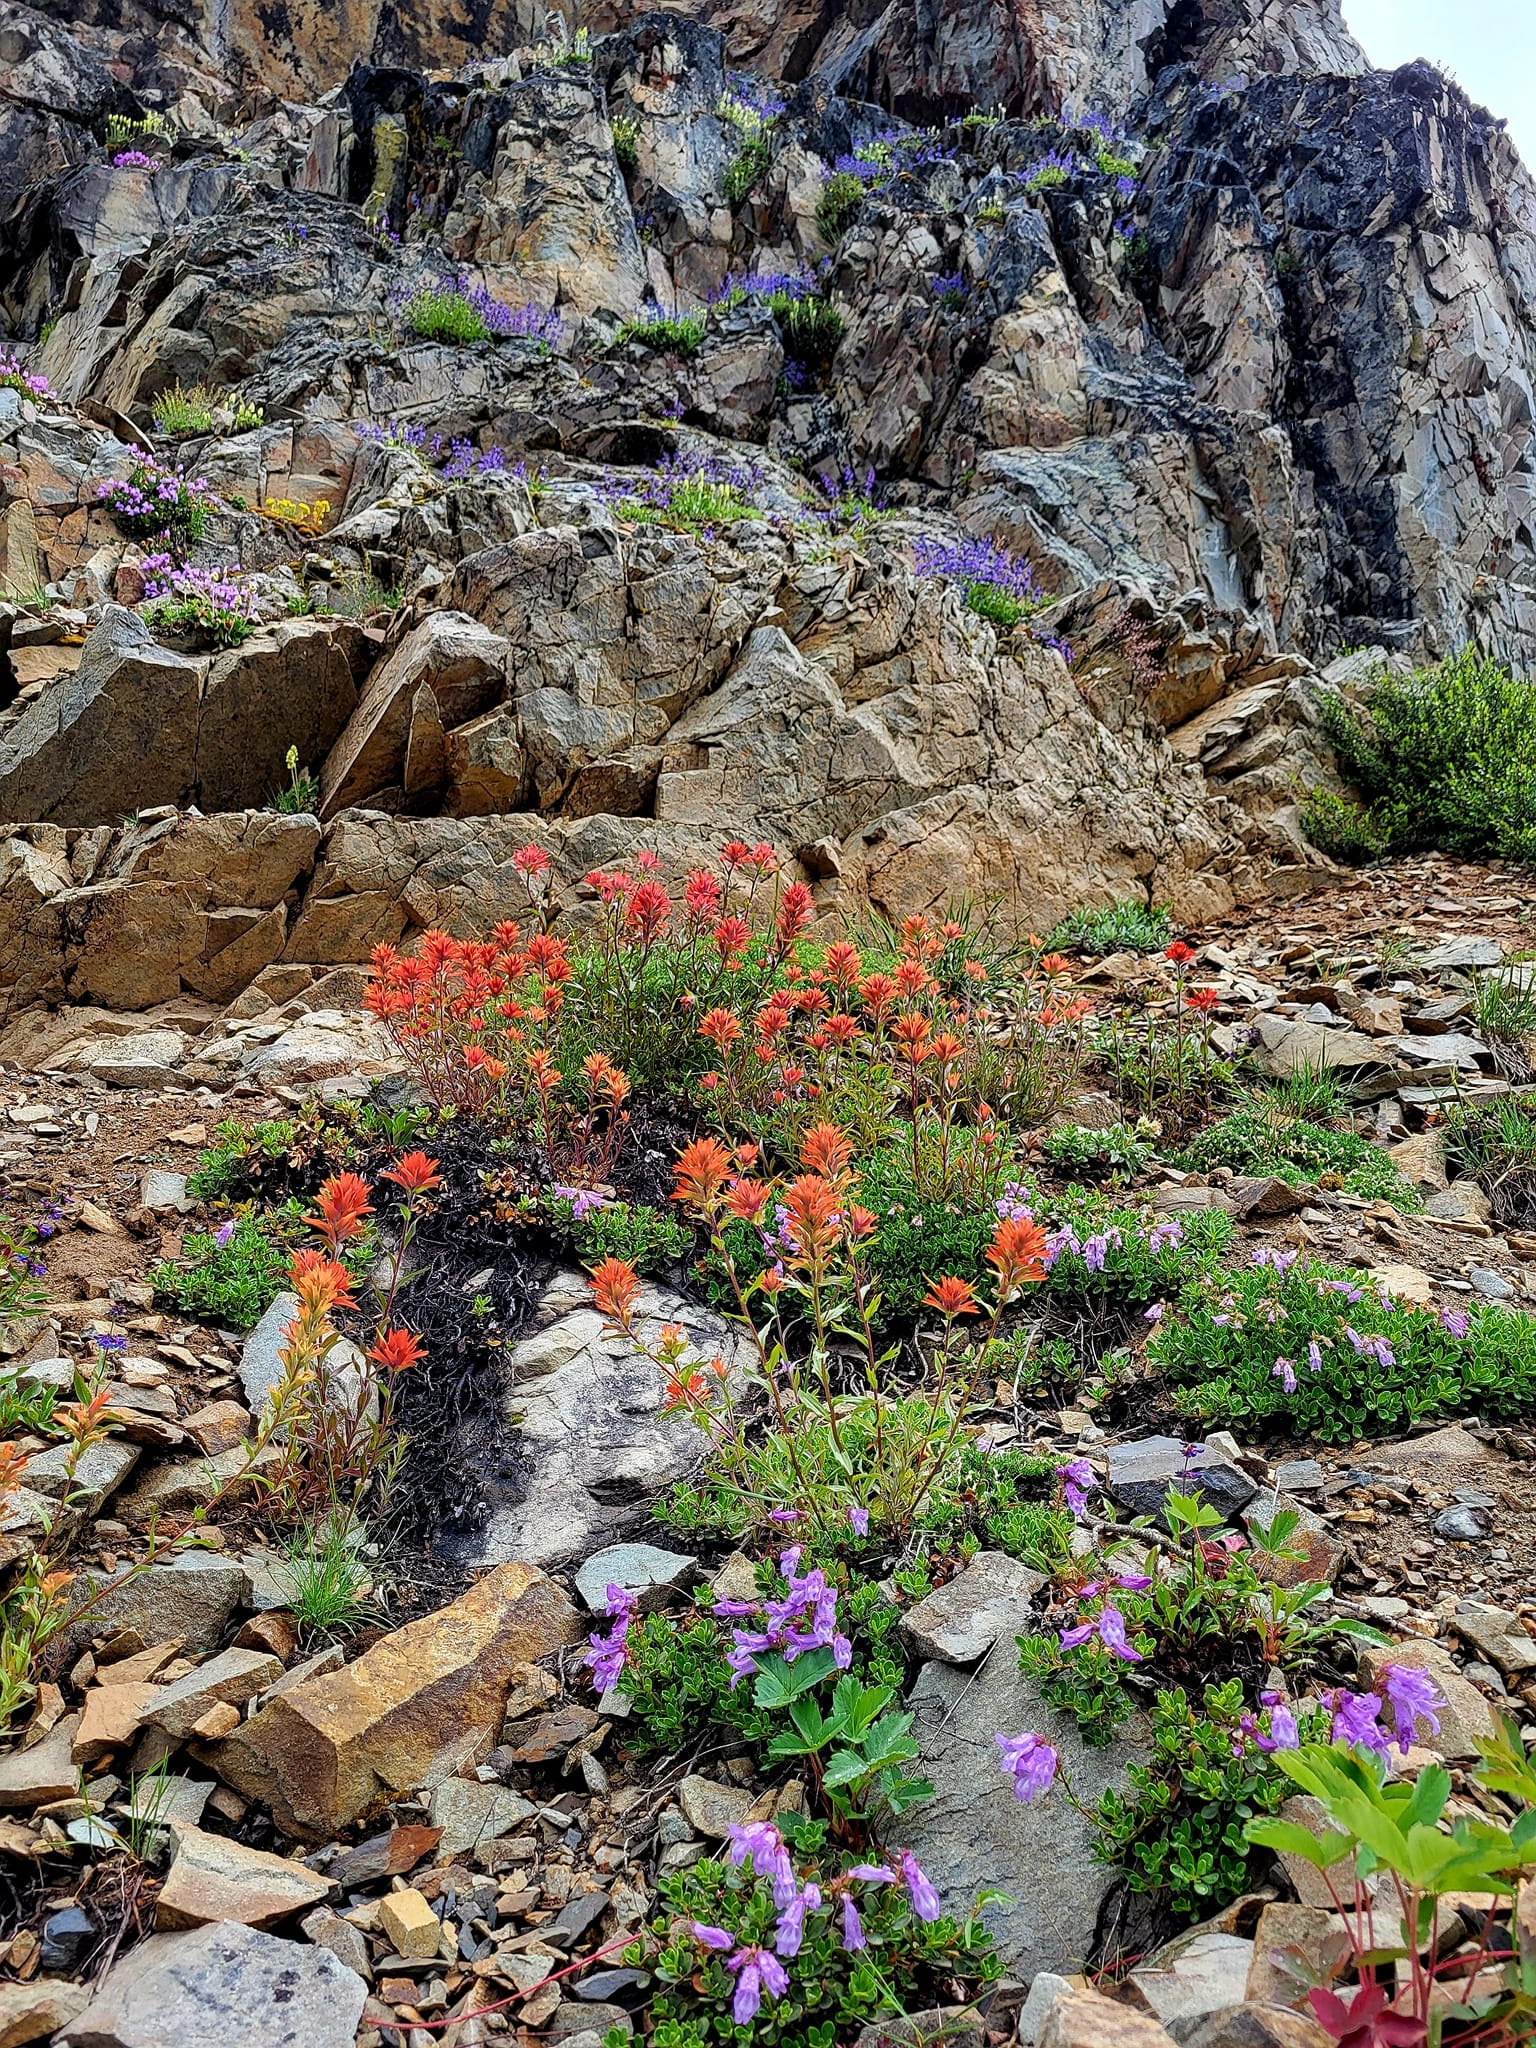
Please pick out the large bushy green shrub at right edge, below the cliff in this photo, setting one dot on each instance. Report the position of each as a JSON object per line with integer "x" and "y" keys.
{"x": 1447, "y": 761}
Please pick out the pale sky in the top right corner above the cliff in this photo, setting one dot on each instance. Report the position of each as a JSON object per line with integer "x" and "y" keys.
{"x": 1488, "y": 46}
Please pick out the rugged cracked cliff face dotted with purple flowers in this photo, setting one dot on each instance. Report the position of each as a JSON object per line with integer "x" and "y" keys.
{"x": 1226, "y": 337}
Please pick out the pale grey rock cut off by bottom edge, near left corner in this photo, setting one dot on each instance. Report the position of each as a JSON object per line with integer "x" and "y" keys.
{"x": 224, "y": 1986}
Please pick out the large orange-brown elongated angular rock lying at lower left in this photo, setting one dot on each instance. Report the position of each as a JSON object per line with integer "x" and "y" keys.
{"x": 327, "y": 1752}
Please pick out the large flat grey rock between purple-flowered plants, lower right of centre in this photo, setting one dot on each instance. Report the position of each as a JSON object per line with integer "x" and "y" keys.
{"x": 974, "y": 1830}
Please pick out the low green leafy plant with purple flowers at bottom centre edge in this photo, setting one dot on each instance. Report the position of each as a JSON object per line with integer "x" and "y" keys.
{"x": 908, "y": 1965}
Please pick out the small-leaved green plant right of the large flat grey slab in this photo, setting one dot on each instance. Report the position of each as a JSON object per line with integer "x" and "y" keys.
{"x": 1181, "y": 1826}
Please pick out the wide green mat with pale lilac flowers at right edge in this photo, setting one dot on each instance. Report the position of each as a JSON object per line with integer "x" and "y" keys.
{"x": 1304, "y": 1349}
